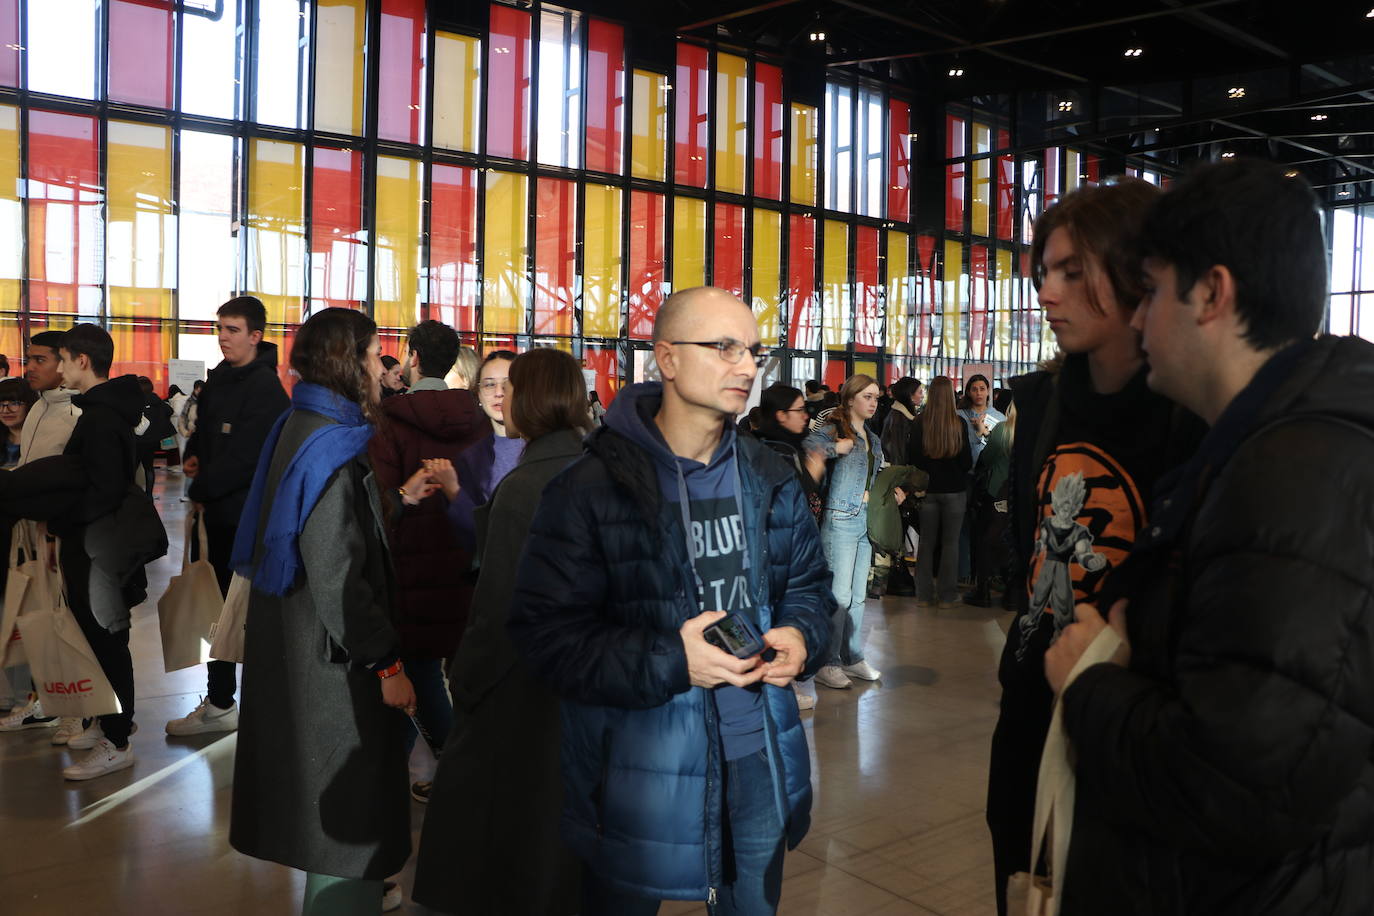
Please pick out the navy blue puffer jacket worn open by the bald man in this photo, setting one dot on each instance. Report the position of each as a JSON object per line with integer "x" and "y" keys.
{"x": 604, "y": 587}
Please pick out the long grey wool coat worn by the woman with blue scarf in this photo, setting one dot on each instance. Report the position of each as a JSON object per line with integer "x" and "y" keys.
{"x": 321, "y": 777}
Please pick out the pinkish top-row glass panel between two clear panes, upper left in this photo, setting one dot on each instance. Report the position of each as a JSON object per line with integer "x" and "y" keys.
{"x": 141, "y": 53}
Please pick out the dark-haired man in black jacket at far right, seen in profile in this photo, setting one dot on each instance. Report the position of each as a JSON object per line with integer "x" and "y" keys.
{"x": 1228, "y": 764}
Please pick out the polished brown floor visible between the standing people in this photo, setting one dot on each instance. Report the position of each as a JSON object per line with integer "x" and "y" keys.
{"x": 899, "y": 768}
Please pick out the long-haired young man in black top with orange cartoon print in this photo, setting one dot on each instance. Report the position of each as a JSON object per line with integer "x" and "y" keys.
{"x": 1092, "y": 442}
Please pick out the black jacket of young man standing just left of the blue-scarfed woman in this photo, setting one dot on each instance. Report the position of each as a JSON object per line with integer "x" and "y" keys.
{"x": 234, "y": 415}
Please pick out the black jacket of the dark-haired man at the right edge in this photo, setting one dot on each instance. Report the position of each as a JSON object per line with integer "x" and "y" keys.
{"x": 1230, "y": 770}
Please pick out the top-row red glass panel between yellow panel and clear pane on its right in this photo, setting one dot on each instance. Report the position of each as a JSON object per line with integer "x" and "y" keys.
{"x": 509, "y": 83}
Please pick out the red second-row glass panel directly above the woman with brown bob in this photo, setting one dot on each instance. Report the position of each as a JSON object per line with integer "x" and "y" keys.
{"x": 556, "y": 274}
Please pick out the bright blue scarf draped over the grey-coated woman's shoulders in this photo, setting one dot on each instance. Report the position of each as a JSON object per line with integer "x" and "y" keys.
{"x": 324, "y": 453}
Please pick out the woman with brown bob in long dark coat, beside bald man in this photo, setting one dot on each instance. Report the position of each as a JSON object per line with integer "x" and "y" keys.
{"x": 491, "y": 843}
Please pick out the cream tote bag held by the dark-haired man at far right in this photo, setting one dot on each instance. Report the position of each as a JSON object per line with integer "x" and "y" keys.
{"x": 1030, "y": 895}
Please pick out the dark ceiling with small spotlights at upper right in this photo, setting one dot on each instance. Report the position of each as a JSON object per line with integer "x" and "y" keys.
{"x": 1306, "y": 69}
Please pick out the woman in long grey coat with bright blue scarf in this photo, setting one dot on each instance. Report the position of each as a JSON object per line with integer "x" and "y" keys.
{"x": 321, "y": 775}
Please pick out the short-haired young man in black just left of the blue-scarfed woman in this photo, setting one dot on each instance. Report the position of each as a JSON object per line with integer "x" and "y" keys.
{"x": 241, "y": 402}
